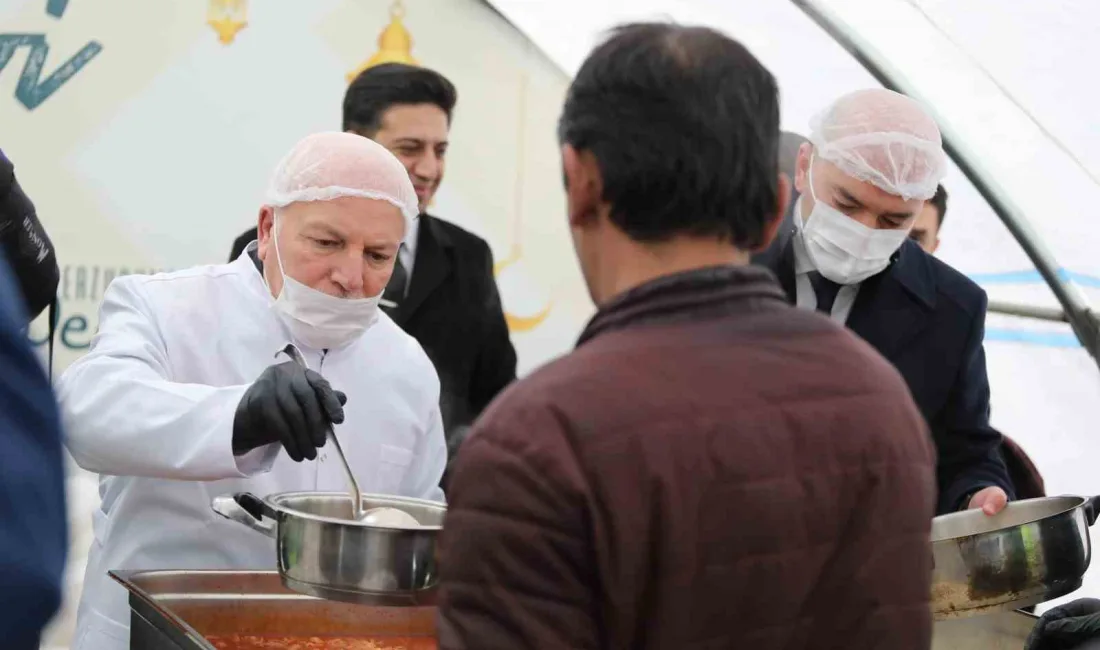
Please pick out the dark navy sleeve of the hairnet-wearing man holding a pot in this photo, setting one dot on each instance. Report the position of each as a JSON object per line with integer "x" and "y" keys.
{"x": 970, "y": 449}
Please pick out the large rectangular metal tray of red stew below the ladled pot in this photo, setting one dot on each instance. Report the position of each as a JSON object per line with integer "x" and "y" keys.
{"x": 179, "y": 610}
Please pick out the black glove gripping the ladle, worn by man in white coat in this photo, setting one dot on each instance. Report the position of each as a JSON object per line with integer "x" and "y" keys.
{"x": 290, "y": 405}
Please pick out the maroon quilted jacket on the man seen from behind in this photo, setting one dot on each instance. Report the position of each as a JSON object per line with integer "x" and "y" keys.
{"x": 710, "y": 469}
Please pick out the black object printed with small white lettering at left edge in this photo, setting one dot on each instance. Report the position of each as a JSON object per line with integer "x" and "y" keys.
{"x": 25, "y": 243}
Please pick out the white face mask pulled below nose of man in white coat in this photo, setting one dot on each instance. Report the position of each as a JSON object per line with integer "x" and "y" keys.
{"x": 317, "y": 320}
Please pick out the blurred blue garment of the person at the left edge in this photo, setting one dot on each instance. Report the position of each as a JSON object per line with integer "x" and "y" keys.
{"x": 34, "y": 536}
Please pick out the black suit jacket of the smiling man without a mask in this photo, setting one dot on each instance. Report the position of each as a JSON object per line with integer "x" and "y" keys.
{"x": 454, "y": 310}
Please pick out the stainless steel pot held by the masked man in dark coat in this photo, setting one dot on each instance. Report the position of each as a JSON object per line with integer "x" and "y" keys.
{"x": 1031, "y": 553}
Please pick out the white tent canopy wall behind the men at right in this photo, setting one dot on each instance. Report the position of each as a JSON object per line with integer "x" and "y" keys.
{"x": 1009, "y": 81}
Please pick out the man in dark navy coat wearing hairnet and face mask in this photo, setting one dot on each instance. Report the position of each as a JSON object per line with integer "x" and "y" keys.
{"x": 873, "y": 160}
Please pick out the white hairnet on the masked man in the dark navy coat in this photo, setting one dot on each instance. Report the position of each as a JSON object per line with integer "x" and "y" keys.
{"x": 883, "y": 138}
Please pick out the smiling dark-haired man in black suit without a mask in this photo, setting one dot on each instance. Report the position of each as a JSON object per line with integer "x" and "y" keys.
{"x": 443, "y": 291}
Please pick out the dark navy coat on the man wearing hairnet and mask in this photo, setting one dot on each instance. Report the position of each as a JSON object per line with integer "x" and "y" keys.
{"x": 929, "y": 321}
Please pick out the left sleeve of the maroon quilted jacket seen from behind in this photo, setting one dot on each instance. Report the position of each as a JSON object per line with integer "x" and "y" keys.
{"x": 515, "y": 566}
